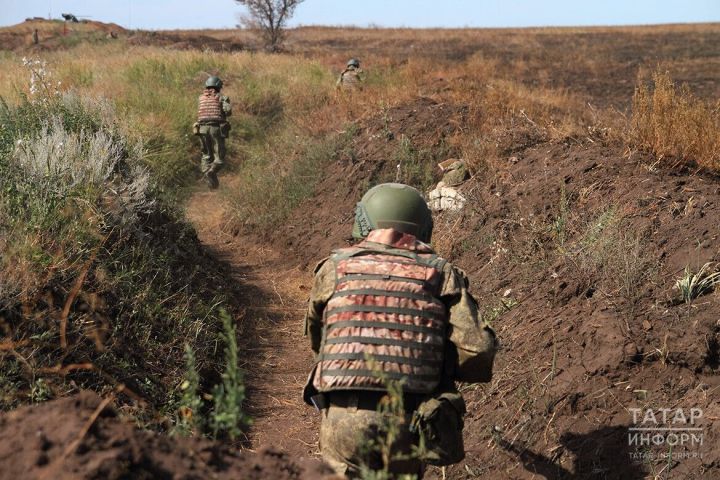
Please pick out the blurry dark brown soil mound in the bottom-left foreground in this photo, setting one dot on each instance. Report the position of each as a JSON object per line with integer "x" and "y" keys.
{"x": 82, "y": 437}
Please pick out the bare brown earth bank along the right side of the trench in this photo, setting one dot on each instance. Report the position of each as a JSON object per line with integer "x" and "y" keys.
{"x": 572, "y": 249}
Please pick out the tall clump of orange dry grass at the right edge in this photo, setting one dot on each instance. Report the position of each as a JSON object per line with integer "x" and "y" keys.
{"x": 679, "y": 129}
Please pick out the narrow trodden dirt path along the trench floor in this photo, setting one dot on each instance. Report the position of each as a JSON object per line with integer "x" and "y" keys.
{"x": 277, "y": 356}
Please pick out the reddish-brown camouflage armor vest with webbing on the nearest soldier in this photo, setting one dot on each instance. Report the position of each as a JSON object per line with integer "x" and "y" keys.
{"x": 384, "y": 318}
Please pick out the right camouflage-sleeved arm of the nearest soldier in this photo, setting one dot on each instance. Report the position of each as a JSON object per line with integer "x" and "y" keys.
{"x": 474, "y": 340}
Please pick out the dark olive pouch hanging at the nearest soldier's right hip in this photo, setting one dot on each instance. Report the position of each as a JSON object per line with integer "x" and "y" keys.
{"x": 439, "y": 422}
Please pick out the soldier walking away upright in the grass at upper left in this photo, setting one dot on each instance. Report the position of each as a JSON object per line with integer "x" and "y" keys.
{"x": 213, "y": 128}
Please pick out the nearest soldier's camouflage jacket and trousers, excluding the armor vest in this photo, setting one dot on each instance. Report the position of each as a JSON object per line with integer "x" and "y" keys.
{"x": 346, "y": 432}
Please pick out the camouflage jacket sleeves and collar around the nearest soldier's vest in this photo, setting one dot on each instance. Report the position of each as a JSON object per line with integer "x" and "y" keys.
{"x": 470, "y": 345}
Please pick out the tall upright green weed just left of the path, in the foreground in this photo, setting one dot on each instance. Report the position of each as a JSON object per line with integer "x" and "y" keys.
{"x": 228, "y": 396}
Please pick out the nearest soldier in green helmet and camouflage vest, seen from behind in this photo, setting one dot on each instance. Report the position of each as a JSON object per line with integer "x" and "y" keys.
{"x": 388, "y": 310}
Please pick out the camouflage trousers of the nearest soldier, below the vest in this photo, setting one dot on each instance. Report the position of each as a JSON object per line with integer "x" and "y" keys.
{"x": 353, "y": 439}
